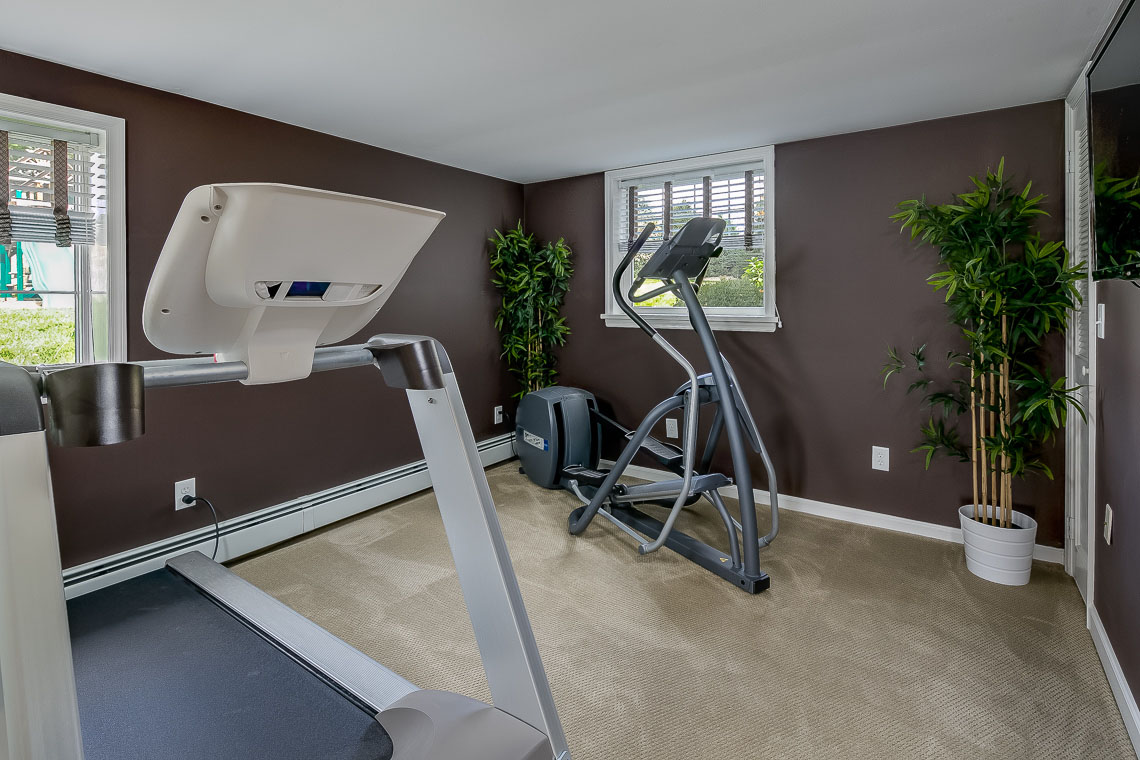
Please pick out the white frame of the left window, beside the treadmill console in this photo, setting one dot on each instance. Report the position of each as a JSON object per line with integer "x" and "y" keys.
{"x": 112, "y": 135}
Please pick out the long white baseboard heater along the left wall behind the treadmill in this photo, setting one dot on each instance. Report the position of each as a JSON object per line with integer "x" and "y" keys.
{"x": 264, "y": 528}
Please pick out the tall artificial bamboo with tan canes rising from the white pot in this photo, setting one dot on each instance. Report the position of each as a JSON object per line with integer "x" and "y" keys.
{"x": 1007, "y": 292}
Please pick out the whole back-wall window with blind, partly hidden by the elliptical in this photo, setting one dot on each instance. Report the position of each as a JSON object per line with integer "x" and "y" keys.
{"x": 739, "y": 289}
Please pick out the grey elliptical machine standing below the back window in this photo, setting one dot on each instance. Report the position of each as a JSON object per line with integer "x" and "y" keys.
{"x": 560, "y": 431}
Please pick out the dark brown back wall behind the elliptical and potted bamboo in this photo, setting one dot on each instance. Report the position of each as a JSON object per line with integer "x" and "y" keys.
{"x": 849, "y": 285}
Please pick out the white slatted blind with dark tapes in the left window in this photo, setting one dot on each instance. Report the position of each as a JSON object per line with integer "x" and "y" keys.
{"x": 34, "y": 203}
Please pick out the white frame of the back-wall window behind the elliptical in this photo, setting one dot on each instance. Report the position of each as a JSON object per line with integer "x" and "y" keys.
{"x": 755, "y": 321}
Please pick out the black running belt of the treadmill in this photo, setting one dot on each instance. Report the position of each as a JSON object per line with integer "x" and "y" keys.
{"x": 165, "y": 674}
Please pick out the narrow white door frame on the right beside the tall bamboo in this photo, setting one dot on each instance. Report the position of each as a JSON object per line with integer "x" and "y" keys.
{"x": 1079, "y": 97}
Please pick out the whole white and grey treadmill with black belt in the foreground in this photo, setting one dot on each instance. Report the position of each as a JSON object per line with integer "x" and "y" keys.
{"x": 191, "y": 660}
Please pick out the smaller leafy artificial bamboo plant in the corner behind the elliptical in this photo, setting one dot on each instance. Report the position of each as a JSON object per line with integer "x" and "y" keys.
{"x": 533, "y": 280}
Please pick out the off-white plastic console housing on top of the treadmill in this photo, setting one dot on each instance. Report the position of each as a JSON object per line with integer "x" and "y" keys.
{"x": 264, "y": 274}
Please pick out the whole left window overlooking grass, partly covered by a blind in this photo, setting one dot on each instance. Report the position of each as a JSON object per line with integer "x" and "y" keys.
{"x": 62, "y": 235}
